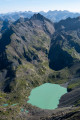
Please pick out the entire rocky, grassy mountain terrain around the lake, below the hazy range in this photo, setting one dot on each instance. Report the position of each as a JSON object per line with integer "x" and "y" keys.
{"x": 35, "y": 51}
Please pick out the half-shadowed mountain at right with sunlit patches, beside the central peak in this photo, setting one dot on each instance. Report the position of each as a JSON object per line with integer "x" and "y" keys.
{"x": 65, "y": 44}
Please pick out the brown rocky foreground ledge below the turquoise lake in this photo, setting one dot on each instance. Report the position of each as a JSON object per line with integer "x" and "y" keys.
{"x": 67, "y": 113}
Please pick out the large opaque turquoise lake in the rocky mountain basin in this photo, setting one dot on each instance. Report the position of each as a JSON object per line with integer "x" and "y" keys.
{"x": 46, "y": 96}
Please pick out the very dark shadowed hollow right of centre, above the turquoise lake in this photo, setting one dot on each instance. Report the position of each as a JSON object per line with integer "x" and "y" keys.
{"x": 59, "y": 59}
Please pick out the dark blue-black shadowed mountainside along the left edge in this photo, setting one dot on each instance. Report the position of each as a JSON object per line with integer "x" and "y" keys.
{"x": 5, "y": 63}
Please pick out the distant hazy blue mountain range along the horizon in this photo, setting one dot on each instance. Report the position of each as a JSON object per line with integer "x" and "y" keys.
{"x": 54, "y": 16}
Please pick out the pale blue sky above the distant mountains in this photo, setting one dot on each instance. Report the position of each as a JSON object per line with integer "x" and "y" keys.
{"x": 39, "y": 5}
